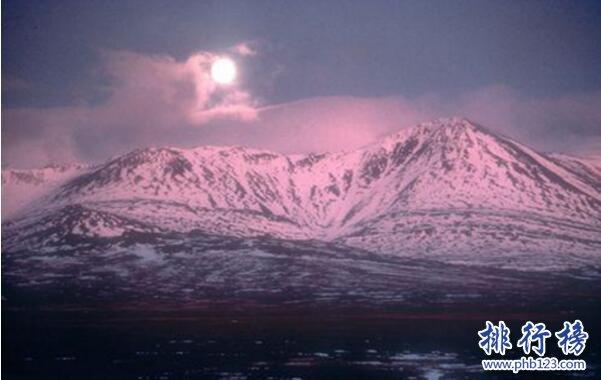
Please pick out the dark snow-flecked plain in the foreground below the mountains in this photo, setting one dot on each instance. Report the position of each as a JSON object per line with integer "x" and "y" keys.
{"x": 427, "y": 337}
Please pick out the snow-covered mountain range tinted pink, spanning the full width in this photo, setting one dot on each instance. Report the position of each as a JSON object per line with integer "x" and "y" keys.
{"x": 447, "y": 190}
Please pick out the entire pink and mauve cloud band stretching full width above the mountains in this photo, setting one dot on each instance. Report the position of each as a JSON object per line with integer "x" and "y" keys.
{"x": 159, "y": 101}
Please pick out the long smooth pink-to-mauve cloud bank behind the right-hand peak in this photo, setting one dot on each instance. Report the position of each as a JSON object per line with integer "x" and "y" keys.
{"x": 570, "y": 124}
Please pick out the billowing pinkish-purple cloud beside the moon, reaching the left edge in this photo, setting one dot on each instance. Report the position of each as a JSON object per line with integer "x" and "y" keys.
{"x": 148, "y": 97}
